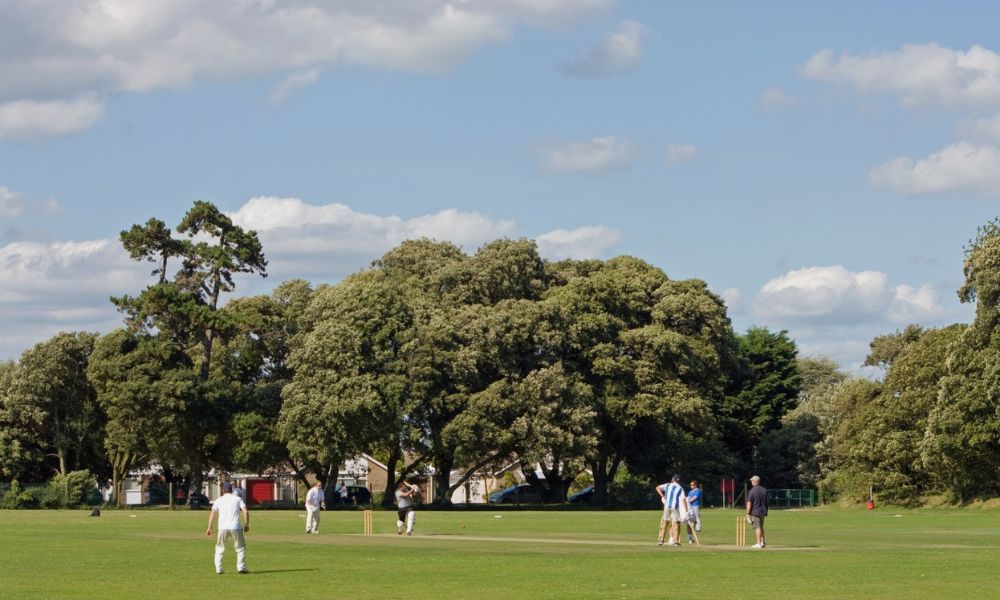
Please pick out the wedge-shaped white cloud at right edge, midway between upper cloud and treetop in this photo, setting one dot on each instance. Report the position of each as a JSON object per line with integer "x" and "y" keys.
{"x": 962, "y": 167}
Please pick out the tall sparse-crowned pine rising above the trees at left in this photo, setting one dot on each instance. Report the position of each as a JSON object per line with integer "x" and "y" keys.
{"x": 185, "y": 312}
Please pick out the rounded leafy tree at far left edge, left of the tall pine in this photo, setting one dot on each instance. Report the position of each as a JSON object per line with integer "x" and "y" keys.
{"x": 51, "y": 414}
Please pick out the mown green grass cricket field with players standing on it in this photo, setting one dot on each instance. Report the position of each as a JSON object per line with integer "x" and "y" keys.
{"x": 816, "y": 553}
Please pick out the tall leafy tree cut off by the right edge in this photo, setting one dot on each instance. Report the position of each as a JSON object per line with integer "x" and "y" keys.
{"x": 962, "y": 443}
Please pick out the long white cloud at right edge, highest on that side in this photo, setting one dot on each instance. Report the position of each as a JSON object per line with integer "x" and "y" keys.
{"x": 922, "y": 75}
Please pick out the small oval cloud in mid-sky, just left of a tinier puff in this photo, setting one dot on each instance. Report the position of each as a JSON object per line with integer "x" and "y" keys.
{"x": 596, "y": 156}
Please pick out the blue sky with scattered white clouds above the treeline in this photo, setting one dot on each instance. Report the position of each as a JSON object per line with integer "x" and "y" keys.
{"x": 821, "y": 165}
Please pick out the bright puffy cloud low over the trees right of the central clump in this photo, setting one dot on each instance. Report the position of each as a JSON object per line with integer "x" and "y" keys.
{"x": 835, "y": 294}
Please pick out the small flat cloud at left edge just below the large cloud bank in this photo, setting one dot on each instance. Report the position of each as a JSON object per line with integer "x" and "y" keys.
{"x": 29, "y": 118}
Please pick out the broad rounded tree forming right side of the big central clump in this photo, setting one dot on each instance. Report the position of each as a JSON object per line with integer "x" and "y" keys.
{"x": 652, "y": 351}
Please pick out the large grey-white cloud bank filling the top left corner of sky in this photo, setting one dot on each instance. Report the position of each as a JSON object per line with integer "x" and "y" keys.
{"x": 56, "y": 50}
